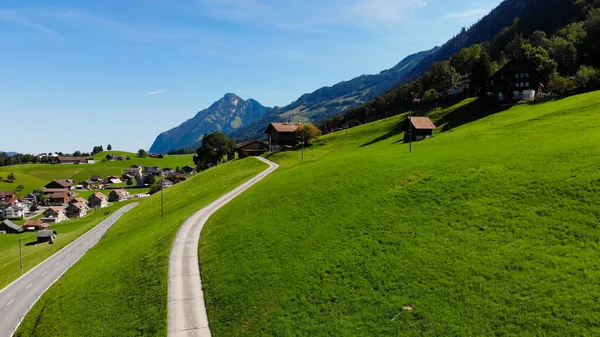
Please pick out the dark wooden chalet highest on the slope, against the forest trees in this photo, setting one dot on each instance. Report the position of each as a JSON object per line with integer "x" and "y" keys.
{"x": 517, "y": 80}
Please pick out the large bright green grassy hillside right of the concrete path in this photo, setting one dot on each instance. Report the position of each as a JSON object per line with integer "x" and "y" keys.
{"x": 488, "y": 229}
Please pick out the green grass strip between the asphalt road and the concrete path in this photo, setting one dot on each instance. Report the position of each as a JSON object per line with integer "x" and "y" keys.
{"x": 119, "y": 288}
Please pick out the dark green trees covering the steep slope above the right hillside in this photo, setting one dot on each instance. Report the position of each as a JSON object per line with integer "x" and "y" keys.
{"x": 566, "y": 57}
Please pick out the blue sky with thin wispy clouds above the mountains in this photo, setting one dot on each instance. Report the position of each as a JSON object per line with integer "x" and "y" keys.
{"x": 74, "y": 74}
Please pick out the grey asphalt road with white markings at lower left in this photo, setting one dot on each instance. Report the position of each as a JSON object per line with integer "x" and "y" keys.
{"x": 21, "y": 295}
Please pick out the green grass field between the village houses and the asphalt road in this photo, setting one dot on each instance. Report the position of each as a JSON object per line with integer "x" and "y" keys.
{"x": 33, "y": 255}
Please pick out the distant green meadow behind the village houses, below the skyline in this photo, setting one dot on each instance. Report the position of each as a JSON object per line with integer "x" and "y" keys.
{"x": 36, "y": 176}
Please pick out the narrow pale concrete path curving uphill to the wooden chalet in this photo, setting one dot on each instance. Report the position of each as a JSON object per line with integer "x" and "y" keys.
{"x": 186, "y": 309}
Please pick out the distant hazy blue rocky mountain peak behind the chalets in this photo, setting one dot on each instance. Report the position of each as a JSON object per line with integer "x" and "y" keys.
{"x": 225, "y": 115}
